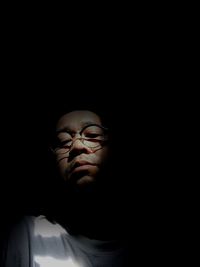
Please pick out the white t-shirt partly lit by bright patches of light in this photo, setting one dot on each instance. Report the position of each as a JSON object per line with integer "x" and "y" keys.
{"x": 37, "y": 242}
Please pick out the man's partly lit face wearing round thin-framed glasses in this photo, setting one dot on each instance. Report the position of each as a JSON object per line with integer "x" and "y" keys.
{"x": 83, "y": 150}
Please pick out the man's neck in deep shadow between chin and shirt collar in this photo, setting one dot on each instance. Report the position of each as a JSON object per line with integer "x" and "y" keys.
{"x": 95, "y": 215}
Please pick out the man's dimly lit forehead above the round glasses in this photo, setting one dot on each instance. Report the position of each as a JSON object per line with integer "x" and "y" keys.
{"x": 76, "y": 120}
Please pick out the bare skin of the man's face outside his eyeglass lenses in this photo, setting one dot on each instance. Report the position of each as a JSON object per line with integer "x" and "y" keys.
{"x": 83, "y": 165}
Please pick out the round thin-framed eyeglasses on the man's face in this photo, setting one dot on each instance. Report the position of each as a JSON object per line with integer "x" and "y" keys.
{"x": 93, "y": 136}
